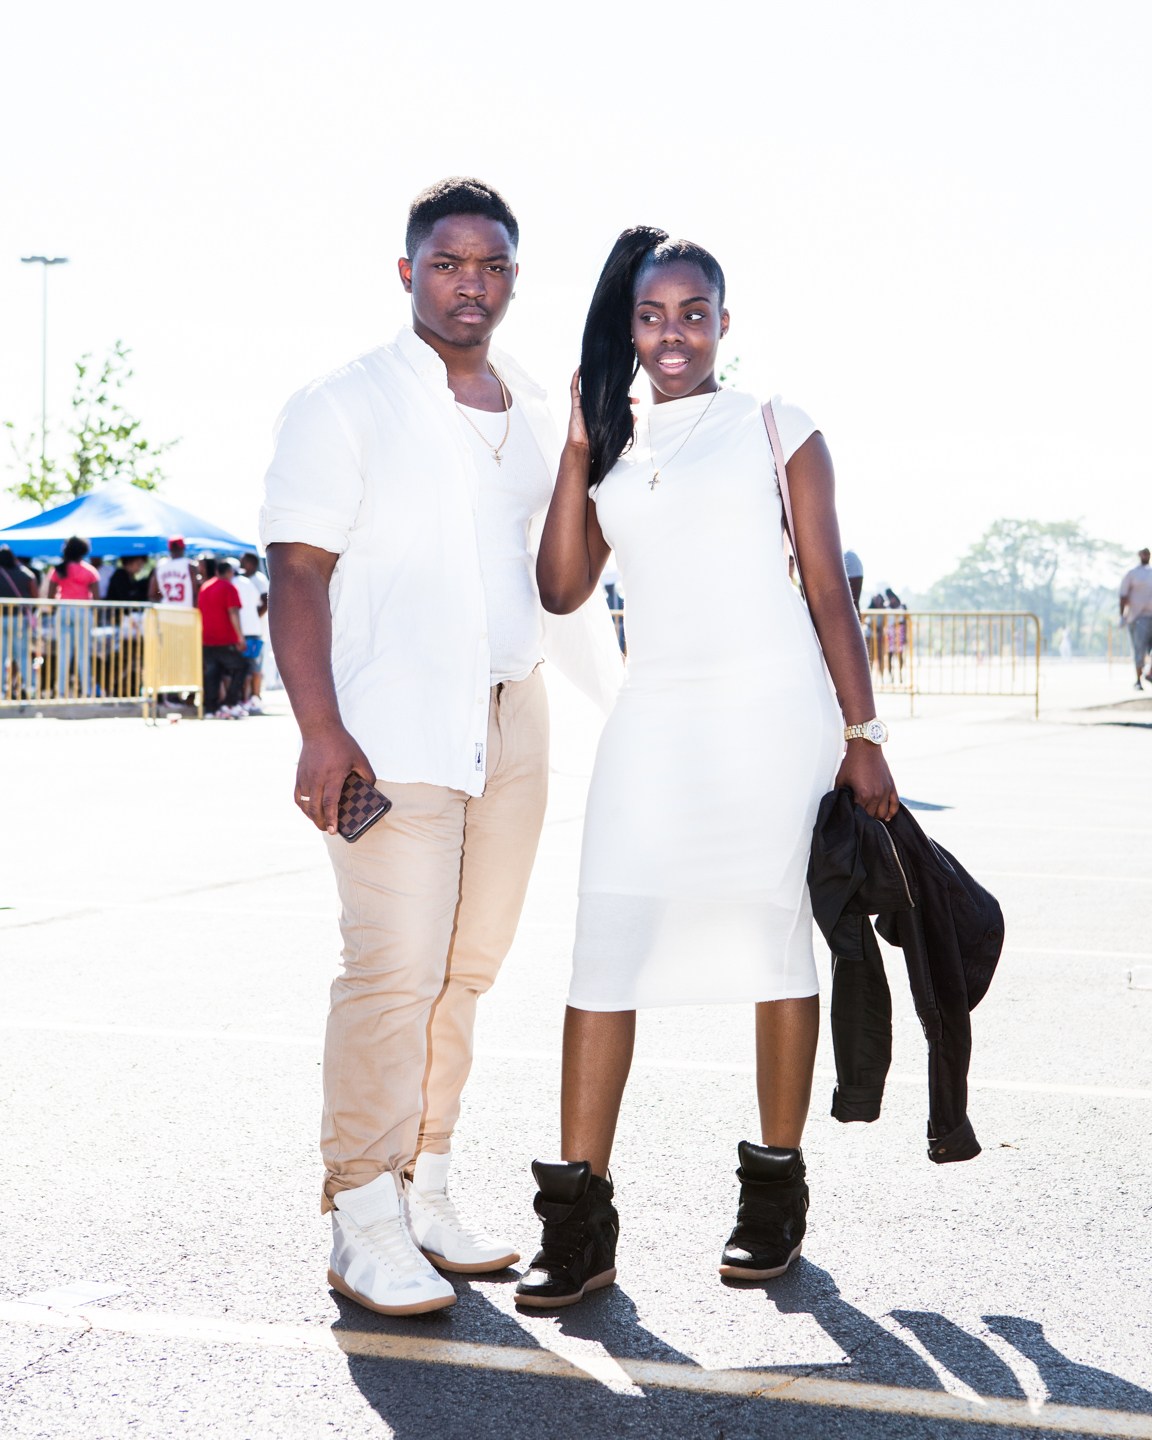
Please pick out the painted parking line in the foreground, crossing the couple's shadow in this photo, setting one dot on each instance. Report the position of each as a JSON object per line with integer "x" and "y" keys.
{"x": 750, "y": 1385}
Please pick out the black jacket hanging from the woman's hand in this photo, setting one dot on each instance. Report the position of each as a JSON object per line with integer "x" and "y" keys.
{"x": 951, "y": 931}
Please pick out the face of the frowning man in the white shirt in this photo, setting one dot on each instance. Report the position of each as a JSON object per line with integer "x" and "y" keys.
{"x": 462, "y": 280}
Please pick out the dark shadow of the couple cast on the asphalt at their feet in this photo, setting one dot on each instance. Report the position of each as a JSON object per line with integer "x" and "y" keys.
{"x": 418, "y": 1400}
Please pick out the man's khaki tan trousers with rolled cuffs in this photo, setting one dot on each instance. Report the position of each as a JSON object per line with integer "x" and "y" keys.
{"x": 431, "y": 898}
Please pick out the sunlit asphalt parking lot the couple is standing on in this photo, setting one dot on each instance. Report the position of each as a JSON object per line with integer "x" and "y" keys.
{"x": 166, "y": 945}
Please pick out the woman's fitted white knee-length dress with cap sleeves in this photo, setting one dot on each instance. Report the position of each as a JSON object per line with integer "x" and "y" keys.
{"x": 726, "y": 735}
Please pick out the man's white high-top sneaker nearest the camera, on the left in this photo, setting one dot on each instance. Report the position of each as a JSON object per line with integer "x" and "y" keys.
{"x": 375, "y": 1261}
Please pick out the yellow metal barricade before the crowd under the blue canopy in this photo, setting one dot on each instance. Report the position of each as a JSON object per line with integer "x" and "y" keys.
{"x": 93, "y": 653}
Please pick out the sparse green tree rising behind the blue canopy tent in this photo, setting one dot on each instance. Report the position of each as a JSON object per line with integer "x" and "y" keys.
{"x": 106, "y": 441}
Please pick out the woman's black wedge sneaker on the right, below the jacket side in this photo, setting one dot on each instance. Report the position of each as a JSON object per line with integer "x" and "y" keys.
{"x": 771, "y": 1220}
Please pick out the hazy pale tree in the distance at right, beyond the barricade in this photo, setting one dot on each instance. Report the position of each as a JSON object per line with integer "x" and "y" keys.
{"x": 1053, "y": 570}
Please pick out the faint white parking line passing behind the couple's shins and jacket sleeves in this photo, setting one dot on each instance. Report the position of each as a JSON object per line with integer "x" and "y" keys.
{"x": 256, "y": 1038}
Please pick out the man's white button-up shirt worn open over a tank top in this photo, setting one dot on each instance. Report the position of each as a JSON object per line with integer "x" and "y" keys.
{"x": 371, "y": 464}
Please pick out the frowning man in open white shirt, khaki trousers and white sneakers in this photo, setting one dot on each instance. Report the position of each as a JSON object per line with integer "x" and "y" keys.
{"x": 408, "y": 633}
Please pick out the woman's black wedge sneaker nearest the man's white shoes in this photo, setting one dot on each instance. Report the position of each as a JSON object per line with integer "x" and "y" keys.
{"x": 578, "y": 1249}
